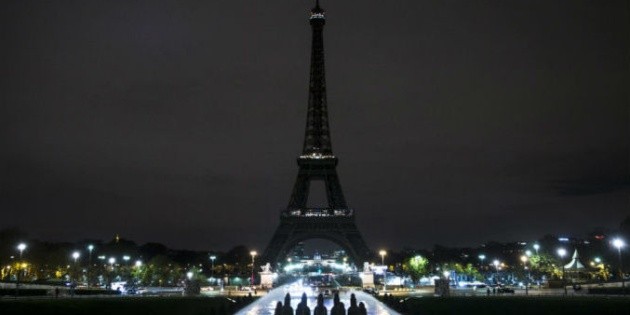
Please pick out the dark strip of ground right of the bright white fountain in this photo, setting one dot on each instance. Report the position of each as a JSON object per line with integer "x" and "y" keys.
{"x": 511, "y": 305}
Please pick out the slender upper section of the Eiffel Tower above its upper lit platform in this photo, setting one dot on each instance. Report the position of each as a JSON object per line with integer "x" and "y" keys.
{"x": 317, "y": 135}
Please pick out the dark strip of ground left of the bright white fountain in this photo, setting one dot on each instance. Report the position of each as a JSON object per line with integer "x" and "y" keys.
{"x": 124, "y": 306}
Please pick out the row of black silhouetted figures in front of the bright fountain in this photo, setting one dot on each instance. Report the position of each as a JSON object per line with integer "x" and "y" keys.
{"x": 338, "y": 307}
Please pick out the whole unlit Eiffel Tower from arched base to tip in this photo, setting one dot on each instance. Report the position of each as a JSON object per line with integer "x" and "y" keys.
{"x": 317, "y": 163}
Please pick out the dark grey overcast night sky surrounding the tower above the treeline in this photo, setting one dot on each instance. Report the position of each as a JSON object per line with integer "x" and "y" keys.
{"x": 456, "y": 122}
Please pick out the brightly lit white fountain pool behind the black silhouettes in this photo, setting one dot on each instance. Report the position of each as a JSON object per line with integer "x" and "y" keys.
{"x": 267, "y": 304}
